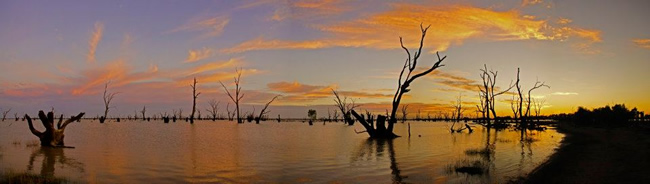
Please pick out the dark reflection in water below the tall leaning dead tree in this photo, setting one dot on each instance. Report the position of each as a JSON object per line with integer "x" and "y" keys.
{"x": 375, "y": 149}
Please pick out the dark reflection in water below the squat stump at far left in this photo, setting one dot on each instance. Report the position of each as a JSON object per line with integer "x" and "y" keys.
{"x": 52, "y": 157}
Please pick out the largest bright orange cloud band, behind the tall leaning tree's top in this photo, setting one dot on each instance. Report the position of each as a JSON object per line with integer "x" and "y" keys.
{"x": 452, "y": 24}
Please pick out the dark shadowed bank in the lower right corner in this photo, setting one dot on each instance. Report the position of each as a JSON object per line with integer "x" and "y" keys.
{"x": 596, "y": 155}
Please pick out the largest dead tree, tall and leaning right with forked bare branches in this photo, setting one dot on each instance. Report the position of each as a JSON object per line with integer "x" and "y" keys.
{"x": 403, "y": 84}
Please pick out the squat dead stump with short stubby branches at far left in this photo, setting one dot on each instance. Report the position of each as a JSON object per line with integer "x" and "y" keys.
{"x": 51, "y": 137}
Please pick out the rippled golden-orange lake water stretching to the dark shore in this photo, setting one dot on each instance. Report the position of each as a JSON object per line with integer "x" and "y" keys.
{"x": 271, "y": 152}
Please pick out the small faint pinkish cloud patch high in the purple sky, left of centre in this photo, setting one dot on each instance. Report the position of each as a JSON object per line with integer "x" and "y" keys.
{"x": 210, "y": 27}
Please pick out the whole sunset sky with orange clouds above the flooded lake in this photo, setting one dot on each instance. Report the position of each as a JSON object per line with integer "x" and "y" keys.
{"x": 61, "y": 54}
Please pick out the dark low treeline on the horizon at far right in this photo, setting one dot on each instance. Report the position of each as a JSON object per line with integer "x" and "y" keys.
{"x": 617, "y": 115}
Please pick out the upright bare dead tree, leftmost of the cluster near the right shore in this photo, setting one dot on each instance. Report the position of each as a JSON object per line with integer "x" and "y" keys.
{"x": 487, "y": 93}
